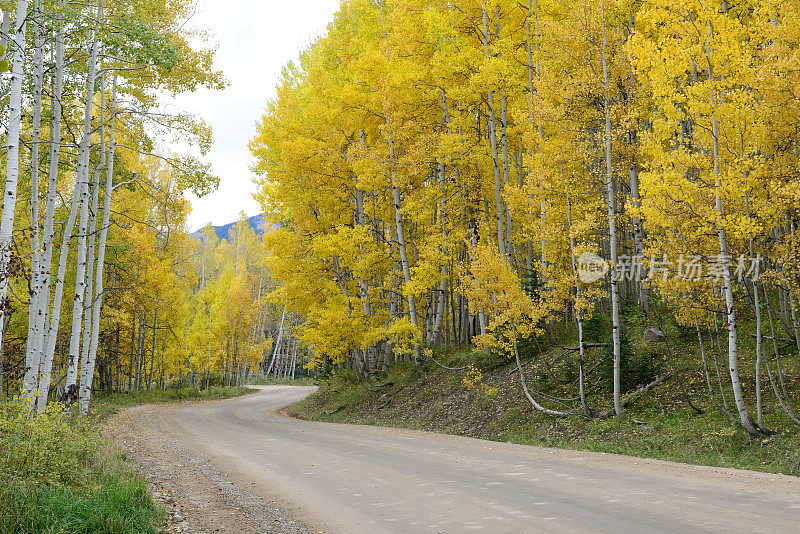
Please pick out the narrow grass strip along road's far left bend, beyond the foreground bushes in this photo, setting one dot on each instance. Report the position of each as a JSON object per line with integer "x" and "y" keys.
{"x": 105, "y": 405}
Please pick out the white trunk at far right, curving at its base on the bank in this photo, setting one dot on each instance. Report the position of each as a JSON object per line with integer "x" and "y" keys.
{"x": 733, "y": 354}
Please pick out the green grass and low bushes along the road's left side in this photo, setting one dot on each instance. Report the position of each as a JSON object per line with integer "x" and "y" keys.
{"x": 61, "y": 476}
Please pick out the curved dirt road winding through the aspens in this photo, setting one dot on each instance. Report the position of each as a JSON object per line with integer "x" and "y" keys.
{"x": 349, "y": 479}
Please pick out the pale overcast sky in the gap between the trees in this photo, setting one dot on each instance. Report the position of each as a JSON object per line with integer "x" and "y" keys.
{"x": 255, "y": 39}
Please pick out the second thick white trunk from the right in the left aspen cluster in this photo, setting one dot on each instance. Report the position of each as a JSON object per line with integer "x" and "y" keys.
{"x": 82, "y": 176}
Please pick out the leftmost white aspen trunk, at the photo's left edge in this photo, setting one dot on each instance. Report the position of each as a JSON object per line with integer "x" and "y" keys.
{"x": 14, "y": 124}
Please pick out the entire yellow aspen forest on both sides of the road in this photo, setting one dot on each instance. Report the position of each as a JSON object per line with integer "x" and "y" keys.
{"x": 438, "y": 175}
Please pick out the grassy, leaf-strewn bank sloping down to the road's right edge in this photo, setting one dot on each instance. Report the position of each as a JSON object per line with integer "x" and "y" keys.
{"x": 494, "y": 408}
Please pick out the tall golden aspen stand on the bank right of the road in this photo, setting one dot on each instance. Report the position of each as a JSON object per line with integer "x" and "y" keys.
{"x": 506, "y": 175}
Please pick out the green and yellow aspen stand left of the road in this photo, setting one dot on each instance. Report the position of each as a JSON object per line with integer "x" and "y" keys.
{"x": 104, "y": 288}
